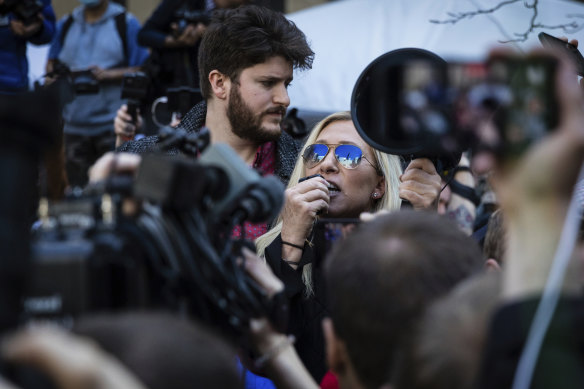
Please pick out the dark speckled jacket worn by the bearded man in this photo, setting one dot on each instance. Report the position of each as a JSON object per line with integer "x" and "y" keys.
{"x": 288, "y": 148}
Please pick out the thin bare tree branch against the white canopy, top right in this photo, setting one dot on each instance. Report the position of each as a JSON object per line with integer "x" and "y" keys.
{"x": 567, "y": 28}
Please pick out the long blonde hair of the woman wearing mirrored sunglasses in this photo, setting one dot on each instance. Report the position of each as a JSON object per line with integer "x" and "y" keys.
{"x": 388, "y": 166}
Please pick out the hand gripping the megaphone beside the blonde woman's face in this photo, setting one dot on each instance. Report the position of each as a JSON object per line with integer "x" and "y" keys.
{"x": 420, "y": 184}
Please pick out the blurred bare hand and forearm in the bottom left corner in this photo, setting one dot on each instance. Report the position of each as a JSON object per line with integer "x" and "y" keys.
{"x": 71, "y": 361}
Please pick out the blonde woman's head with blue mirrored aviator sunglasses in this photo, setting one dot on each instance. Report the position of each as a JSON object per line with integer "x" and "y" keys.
{"x": 361, "y": 178}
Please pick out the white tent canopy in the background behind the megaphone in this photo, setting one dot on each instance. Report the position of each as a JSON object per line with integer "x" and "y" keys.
{"x": 347, "y": 35}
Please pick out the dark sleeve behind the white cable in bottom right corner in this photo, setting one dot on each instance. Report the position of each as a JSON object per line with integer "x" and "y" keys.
{"x": 560, "y": 362}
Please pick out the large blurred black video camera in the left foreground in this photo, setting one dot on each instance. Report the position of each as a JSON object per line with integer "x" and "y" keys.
{"x": 176, "y": 253}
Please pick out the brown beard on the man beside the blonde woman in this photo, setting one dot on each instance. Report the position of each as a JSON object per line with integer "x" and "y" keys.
{"x": 245, "y": 124}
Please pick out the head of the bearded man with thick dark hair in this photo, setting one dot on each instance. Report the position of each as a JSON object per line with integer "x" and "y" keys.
{"x": 246, "y": 59}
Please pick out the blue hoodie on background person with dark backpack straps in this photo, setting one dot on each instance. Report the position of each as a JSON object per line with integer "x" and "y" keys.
{"x": 96, "y": 44}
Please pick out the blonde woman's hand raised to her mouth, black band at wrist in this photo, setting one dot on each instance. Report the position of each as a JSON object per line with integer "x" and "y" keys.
{"x": 302, "y": 202}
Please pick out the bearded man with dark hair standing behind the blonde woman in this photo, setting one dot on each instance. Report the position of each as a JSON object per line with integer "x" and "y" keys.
{"x": 246, "y": 59}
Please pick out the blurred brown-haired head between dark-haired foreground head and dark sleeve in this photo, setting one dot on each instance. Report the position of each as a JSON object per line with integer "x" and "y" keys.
{"x": 449, "y": 343}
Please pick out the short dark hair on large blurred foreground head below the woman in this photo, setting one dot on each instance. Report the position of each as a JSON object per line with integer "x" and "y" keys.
{"x": 380, "y": 279}
